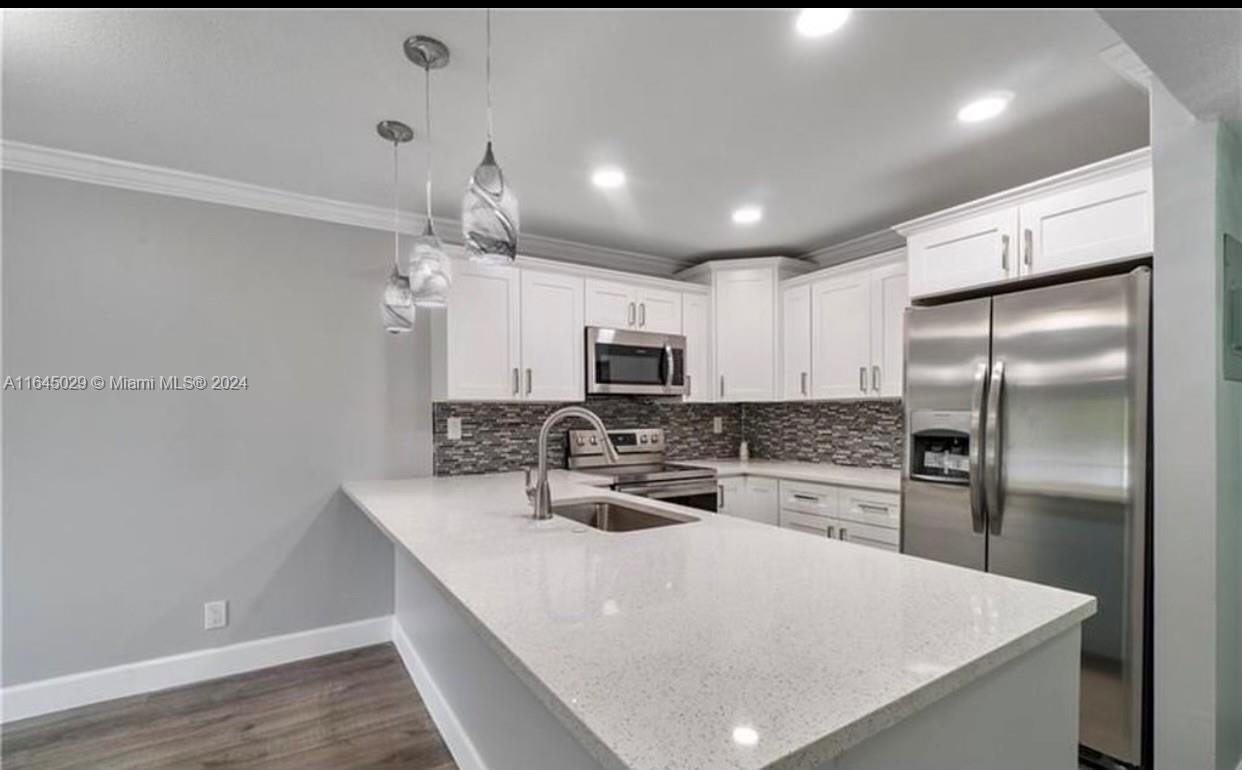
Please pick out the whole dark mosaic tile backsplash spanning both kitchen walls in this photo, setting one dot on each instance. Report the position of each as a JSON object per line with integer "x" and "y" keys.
{"x": 500, "y": 437}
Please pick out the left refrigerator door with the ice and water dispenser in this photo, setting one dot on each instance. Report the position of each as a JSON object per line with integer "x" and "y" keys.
{"x": 947, "y": 356}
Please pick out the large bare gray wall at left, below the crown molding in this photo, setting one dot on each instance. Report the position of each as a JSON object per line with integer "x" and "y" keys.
{"x": 124, "y": 512}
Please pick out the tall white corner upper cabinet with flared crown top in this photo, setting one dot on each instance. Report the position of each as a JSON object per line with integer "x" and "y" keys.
{"x": 745, "y": 325}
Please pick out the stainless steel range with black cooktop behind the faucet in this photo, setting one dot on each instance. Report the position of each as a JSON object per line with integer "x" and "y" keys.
{"x": 641, "y": 468}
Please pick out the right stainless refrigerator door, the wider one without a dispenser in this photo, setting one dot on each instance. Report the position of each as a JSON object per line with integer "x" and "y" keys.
{"x": 1067, "y": 439}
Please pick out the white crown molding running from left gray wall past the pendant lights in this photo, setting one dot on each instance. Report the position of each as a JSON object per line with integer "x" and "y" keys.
{"x": 160, "y": 181}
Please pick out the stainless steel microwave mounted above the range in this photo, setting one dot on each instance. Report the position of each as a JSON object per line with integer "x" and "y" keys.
{"x": 640, "y": 363}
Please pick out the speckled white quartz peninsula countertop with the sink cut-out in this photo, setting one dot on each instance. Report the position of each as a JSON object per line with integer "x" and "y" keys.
{"x": 716, "y": 645}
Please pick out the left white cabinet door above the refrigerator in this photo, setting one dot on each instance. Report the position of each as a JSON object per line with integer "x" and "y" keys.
{"x": 978, "y": 250}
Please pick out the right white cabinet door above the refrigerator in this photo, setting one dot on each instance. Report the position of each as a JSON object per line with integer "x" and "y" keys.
{"x": 1100, "y": 222}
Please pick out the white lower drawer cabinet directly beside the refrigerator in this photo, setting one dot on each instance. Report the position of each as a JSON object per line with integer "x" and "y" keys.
{"x": 843, "y": 514}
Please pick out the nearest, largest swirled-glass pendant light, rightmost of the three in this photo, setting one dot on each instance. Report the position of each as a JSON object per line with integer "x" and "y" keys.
{"x": 490, "y": 208}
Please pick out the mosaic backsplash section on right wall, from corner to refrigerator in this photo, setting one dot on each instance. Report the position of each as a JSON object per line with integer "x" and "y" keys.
{"x": 866, "y": 434}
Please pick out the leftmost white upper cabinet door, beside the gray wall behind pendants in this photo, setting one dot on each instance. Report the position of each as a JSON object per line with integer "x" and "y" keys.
{"x": 484, "y": 341}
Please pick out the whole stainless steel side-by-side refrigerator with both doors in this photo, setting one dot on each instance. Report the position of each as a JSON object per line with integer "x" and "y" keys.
{"x": 1028, "y": 455}
